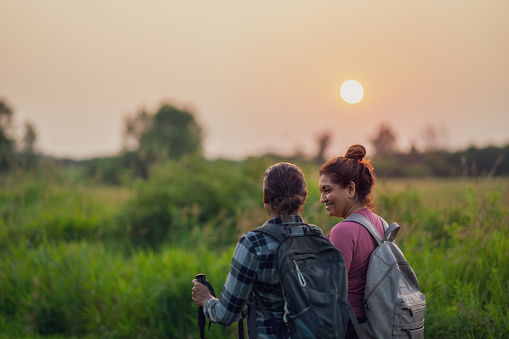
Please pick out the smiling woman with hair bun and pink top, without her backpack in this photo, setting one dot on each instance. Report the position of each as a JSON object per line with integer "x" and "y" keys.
{"x": 346, "y": 185}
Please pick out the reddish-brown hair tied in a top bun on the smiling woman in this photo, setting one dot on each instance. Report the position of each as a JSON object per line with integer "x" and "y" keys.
{"x": 353, "y": 167}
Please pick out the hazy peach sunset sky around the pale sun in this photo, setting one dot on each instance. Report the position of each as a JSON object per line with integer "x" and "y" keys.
{"x": 260, "y": 75}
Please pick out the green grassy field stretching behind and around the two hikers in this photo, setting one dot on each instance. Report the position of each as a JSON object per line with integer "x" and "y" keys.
{"x": 72, "y": 266}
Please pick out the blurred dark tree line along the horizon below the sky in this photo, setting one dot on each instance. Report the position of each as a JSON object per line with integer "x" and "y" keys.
{"x": 152, "y": 138}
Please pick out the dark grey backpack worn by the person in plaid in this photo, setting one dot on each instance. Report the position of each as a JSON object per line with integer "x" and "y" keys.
{"x": 313, "y": 281}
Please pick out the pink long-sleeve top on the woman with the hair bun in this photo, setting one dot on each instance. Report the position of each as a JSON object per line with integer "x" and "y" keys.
{"x": 356, "y": 244}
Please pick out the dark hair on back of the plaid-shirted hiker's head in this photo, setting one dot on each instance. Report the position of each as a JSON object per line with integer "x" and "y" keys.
{"x": 286, "y": 188}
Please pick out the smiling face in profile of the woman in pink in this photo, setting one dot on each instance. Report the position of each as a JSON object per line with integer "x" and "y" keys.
{"x": 338, "y": 201}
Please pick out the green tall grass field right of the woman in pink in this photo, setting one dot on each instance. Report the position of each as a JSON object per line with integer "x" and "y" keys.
{"x": 455, "y": 237}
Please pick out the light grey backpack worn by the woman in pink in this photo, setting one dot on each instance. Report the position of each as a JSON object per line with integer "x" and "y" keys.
{"x": 393, "y": 302}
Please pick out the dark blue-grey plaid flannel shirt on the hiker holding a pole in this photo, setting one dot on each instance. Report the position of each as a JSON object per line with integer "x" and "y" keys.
{"x": 254, "y": 270}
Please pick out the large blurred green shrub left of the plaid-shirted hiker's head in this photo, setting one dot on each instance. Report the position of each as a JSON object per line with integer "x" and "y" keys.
{"x": 190, "y": 194}
